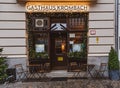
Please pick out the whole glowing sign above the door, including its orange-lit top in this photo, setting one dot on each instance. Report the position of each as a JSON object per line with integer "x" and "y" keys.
{"x": 56, "y": 7}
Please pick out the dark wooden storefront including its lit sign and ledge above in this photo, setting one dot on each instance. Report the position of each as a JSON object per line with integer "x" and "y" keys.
{"x": 57, "y": 29}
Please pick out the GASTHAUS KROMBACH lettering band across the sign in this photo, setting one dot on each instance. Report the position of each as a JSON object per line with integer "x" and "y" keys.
{"x": 56, "y": 8}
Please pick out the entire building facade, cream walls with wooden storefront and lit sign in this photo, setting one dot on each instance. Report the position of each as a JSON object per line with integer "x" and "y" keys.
{"x": 57, "y": 29}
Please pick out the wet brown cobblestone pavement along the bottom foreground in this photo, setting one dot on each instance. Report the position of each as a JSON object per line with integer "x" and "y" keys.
{"x": 71, "y": 83}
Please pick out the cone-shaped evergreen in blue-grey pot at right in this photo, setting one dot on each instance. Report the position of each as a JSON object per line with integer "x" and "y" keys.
{"x": 113, "y": 65}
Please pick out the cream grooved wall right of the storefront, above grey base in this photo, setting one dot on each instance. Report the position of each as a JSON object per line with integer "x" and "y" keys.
{"x": 101, "y": 20}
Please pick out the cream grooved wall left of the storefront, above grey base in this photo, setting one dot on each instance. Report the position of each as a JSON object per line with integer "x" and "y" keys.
{"x": 12, "y": 28}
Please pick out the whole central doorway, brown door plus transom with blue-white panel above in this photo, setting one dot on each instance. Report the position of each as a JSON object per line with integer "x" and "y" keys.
{"x": 58, "y": 41}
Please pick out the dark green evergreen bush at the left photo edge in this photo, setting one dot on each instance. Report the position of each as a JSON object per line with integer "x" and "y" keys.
{"x": 3, "y": 67}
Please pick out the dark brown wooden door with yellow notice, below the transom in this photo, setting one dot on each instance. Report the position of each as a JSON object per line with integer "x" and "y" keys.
{"x": 58, "y": 50}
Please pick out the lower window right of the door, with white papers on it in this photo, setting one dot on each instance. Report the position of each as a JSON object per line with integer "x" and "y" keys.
{"x": 78, "y": 42}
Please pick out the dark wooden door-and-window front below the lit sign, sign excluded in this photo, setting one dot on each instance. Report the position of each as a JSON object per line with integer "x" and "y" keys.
{"x": 57, "y": 34}
